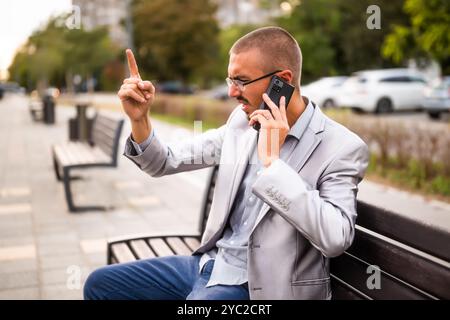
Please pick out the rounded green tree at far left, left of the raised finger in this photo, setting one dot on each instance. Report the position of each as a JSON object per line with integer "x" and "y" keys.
{"x": 54, "y": 53}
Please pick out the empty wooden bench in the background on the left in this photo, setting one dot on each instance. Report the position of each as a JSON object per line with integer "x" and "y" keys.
{"x": 101, "y": 151}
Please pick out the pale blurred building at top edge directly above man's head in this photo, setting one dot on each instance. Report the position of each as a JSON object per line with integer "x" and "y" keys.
{"x": 231, "y": 12}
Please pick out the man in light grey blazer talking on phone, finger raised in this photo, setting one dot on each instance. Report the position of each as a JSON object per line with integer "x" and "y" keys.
{"x": 285, "y": 197}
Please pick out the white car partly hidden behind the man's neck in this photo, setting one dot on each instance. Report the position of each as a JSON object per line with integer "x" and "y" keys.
{"x": 323, "y": 91}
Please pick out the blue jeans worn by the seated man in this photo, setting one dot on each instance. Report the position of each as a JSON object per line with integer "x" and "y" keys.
{"x": 164, "y": 278}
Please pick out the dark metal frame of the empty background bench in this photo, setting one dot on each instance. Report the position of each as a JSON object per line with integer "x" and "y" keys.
{"x": 66, "y": 178}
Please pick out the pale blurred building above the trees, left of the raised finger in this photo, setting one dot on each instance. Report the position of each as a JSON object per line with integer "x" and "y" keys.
{"x": 110, "y": 13}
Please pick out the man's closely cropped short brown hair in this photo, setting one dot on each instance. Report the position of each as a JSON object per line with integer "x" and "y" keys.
{"x": 278, "y": 48}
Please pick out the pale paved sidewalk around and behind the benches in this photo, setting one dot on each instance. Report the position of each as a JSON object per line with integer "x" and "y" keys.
{"x": 44, "y": 249}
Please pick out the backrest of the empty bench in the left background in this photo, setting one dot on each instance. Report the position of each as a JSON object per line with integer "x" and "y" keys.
{"x": 106, "y": 132}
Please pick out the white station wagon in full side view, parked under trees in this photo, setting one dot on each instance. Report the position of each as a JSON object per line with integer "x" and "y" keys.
{"x": 383, "y": 91}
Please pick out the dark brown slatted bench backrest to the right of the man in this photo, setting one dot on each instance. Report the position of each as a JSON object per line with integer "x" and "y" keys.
{"x": 413, "y": 259}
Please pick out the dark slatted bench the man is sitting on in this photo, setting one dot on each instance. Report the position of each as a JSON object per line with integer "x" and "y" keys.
{"x": 413, "y": 258}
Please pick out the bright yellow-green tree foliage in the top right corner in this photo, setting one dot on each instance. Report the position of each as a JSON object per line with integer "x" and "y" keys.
{"x": 425, "y": 36}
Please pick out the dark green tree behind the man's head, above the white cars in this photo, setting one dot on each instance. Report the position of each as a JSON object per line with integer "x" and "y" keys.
{"x": 334, "y": 37}
